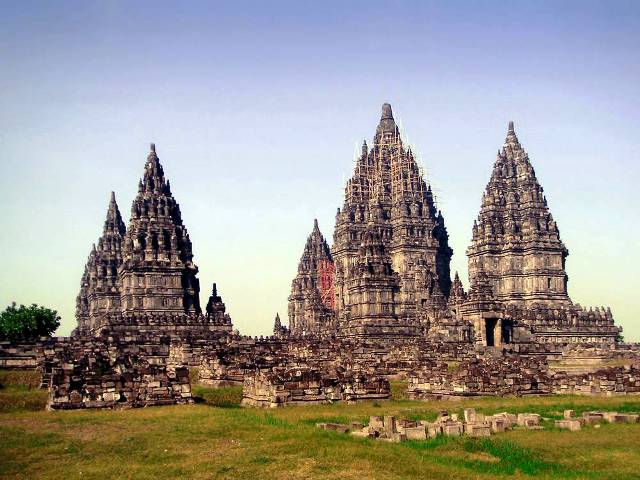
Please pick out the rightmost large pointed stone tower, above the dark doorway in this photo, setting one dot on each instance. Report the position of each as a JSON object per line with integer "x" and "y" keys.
{"x": 516, "y": 243}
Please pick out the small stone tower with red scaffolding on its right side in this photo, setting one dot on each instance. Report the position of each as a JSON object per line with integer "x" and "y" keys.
{"x": 311, "y": 303}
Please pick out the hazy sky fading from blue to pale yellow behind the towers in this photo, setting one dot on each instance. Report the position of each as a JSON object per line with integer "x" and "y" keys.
{"x": 255, "y": 108}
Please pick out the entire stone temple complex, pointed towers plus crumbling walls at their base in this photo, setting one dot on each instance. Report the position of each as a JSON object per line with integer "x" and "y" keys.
{"x": 380, "y": 302}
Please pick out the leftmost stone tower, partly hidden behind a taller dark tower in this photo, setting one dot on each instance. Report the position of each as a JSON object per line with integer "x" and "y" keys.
{"x": 100, "y": 290}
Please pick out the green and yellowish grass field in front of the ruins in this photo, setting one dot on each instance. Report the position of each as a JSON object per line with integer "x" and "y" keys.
{"x": 216, "y": 439}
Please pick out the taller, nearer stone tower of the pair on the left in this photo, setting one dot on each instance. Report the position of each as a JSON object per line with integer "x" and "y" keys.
{"x": 158, "y": 274}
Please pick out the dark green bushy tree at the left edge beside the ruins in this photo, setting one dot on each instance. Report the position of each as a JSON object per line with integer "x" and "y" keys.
{"x": 27, "y": 323}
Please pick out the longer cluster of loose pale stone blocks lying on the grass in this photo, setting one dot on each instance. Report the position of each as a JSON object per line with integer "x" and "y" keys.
{"x": 474, "y": 424}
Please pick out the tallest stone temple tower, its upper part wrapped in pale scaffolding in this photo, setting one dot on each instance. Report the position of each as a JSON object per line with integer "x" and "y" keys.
{"x": 388, "y": 193}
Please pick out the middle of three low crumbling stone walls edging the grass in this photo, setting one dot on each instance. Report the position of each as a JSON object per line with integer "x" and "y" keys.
{"x": 289, "y": 386}
